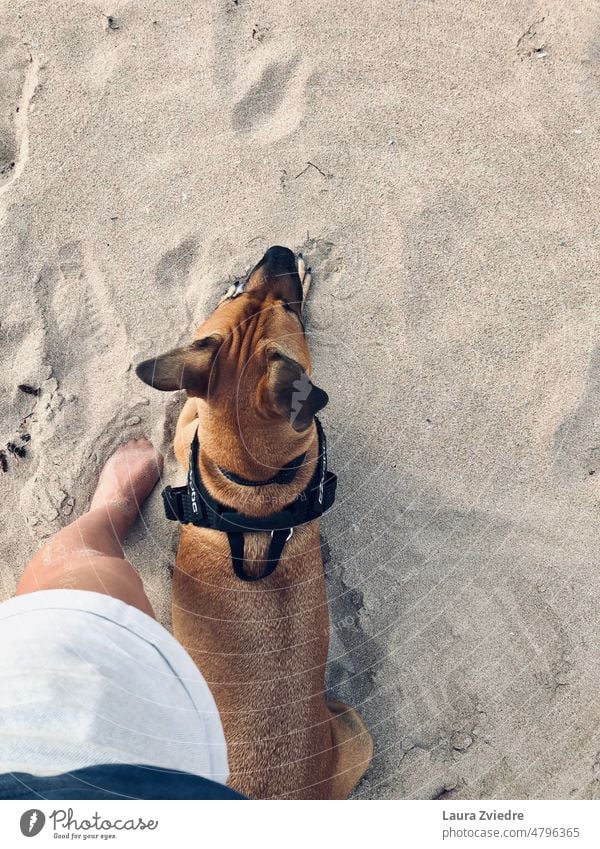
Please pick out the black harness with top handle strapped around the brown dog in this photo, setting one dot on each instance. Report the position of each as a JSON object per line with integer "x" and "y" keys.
{"x": 193, "y": 504}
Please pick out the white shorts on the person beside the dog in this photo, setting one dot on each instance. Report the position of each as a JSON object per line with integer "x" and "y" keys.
{"x": 86, "y": 679}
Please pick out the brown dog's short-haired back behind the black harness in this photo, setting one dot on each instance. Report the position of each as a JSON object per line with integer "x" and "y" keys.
{"x": 262, "y": 648}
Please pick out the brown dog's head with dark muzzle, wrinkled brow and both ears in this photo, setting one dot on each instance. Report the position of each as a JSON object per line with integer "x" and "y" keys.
{"x": 249, "y": 360}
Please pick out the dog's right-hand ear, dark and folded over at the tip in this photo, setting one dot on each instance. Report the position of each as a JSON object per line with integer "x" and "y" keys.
{"x": 290, "y": 391}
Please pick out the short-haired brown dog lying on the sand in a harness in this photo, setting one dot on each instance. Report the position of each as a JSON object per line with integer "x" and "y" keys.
{"x": 262, "y": 646}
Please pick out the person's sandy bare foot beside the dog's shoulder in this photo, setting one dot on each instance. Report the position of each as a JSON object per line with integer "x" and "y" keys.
{"x": 128, "y": 478}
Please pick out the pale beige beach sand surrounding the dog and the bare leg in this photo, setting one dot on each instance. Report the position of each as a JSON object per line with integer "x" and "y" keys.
{"x": 450, "y": 213}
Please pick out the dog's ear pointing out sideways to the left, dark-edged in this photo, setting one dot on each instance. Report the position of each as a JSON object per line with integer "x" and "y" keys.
{"x": 187, "y": 368}
